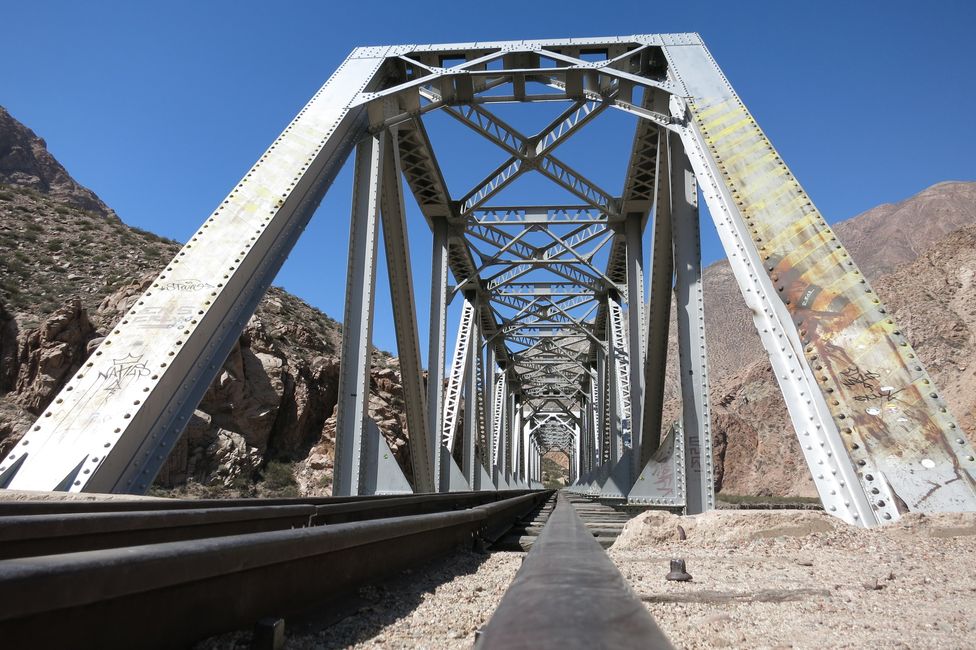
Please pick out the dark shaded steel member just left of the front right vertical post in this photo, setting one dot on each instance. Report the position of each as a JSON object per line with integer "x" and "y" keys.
{"x": 659, "y": 312}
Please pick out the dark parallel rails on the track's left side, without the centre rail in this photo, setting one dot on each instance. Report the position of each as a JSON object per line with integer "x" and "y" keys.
{"x": 161, "y": 574}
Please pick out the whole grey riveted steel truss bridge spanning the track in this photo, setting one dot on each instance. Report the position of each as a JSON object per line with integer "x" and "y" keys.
{"x": 560, "y": 344}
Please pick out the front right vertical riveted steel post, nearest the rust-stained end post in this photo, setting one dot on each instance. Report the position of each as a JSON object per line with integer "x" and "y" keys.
{"x": 691, "y": 332}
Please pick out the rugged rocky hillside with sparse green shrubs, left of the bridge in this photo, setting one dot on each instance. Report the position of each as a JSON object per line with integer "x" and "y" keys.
{"x": 69, "y": 268}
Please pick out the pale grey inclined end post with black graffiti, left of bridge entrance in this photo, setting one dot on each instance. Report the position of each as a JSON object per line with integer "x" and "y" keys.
{"x": 115, "y": 422}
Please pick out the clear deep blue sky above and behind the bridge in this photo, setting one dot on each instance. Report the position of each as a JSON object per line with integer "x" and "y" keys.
{"x": 161, "y": 107}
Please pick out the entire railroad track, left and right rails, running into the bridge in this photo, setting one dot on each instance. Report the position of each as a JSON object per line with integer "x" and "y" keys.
{"x": 162, "y": 574}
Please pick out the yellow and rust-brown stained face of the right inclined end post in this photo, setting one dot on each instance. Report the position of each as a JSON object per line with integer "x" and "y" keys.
{"x": 876, "y": 394}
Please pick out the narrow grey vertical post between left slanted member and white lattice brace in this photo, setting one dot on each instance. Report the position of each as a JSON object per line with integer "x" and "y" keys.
{"x": 437, "y": 342}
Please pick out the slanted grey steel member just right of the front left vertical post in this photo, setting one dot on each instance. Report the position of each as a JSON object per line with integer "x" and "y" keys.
{"x": 398, "y": 267}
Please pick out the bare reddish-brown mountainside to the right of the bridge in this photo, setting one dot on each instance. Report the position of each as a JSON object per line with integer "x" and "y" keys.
{"x": 920, "y": 256}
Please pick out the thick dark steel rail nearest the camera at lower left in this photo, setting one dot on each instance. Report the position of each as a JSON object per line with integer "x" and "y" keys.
{"x": 171, "y": 594}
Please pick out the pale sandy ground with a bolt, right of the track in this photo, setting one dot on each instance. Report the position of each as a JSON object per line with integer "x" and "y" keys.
{"x": 800, "y": 579}
